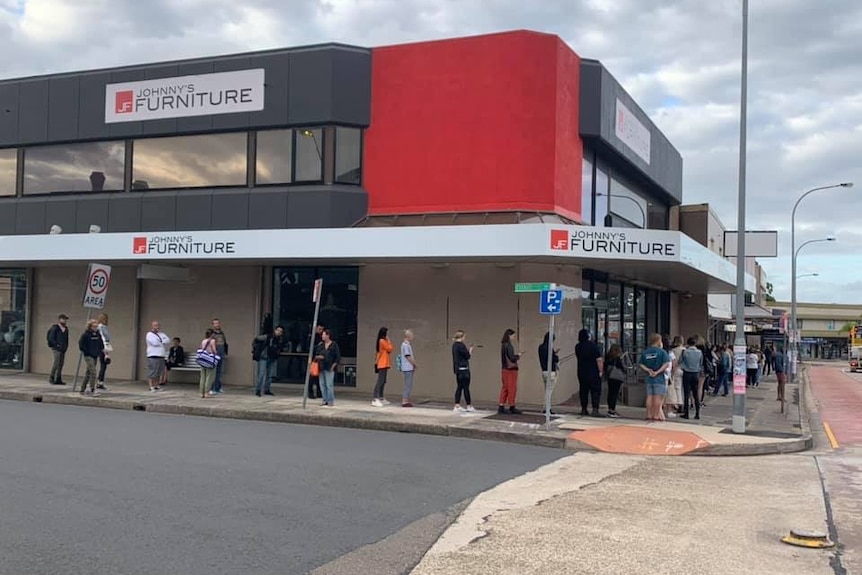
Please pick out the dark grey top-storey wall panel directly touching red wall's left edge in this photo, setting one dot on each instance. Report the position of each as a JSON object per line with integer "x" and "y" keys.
{"x": 351, "y": 87}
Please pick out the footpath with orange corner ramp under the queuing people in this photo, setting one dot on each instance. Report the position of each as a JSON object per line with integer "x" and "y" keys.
{"x": 769, "y": 431}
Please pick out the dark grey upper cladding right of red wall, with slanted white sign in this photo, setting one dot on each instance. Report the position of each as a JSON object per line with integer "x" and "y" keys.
{"x": 600, "y": 92}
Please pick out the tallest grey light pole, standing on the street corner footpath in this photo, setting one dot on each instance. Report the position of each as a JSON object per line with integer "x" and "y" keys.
{"x": 739, "y": 340}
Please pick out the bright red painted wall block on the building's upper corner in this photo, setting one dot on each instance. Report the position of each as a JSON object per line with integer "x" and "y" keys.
{"x": 486, "y": 123}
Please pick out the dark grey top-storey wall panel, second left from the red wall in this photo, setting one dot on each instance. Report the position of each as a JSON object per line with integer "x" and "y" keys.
{"x": 310, "y": 87}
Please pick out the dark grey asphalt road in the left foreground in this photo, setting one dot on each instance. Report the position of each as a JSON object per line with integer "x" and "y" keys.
{"x": 96, "y": 491}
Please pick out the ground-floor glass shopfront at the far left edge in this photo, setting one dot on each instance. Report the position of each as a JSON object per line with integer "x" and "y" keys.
{"x": 13, "y": 320}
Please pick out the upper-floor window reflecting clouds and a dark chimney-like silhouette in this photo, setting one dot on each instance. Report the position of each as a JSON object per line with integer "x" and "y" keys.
{"x": 88, "y": 167}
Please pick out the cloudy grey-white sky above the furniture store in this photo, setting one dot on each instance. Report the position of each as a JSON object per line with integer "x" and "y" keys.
{"x": 680, "y": 59}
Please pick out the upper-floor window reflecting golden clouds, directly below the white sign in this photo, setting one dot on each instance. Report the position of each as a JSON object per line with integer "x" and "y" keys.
{"x": 209, "y": 160}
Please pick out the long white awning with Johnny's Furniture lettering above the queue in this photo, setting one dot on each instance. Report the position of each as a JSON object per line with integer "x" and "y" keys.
{"x": 665, "y": 259}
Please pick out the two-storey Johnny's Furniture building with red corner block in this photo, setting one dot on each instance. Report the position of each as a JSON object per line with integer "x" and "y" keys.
{"x": 419, "y": 182}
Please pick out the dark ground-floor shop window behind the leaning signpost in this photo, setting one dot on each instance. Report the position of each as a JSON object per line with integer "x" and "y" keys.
{"x": 293, "y": 309}
